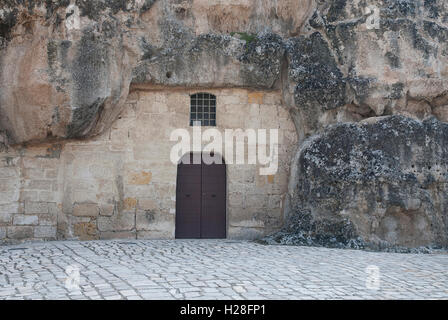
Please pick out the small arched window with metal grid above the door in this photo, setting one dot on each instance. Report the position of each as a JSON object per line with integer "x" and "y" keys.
{"x": 203, "y": 109}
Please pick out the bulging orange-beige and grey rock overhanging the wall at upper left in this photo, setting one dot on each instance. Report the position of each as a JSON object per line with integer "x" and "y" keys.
{"x": 63, "y": 75}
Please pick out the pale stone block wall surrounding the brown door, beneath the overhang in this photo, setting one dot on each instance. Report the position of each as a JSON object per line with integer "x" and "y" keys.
{"x": 122, "y": 184}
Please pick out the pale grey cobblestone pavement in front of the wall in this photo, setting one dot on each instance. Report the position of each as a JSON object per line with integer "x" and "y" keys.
{"x": 214, "y": 269}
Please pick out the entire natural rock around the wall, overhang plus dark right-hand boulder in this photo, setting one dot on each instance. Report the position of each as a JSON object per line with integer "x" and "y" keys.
{"x": 67, "y": 67}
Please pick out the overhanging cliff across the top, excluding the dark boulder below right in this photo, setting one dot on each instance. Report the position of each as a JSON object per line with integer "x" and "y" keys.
{"x": 67, "y": 66}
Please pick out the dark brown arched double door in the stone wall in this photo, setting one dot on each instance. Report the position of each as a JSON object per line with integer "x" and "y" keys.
{"x": 201, "y": 201}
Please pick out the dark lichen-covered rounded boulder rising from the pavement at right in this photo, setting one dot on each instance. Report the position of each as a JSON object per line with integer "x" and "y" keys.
{"x": 381, "y": 182}
